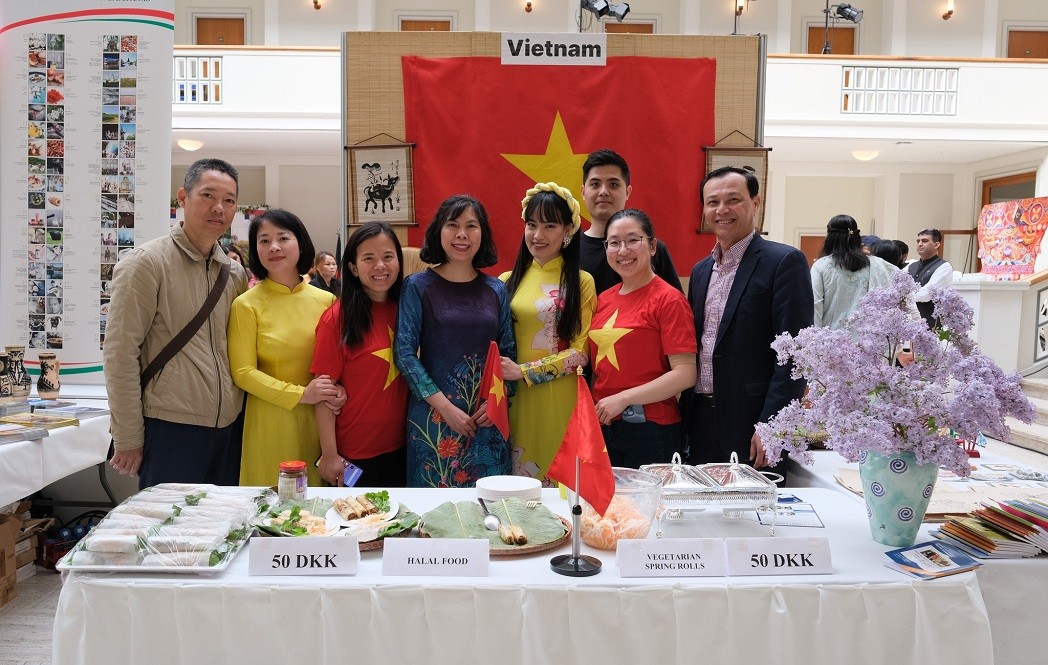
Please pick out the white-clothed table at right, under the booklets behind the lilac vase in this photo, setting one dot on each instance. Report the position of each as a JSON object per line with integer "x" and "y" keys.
{"x": 1013, "y": 590}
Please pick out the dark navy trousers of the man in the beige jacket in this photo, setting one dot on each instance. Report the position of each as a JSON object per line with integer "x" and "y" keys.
{"x": 177, "y": 453}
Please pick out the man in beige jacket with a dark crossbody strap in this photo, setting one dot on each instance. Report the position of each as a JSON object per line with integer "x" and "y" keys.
{"x": 184, "y": 426}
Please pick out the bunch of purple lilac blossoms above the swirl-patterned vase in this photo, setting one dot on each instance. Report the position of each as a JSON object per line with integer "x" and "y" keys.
{"x": 861, "y": 400}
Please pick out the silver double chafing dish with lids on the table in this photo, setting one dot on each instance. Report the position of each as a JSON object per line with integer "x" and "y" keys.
{"x": 734, "y": 489}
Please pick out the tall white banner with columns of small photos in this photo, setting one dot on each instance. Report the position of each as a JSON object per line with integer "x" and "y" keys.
{"x": 85, "y": 174}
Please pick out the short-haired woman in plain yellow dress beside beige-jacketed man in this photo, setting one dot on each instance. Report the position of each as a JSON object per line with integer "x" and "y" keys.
{"x": 272, "y": 337}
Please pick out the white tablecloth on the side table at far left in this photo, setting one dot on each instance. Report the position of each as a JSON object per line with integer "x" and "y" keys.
{"x": 29, "y": 467}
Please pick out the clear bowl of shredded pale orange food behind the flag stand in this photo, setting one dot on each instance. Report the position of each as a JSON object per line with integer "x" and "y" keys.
{"x": 629, "y": 516}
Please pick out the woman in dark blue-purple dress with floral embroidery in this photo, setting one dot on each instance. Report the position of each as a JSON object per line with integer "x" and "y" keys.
{"x": 448, "y": 318}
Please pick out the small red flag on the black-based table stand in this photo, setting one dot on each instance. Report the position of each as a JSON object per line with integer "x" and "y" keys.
{"x": 583, "y": 439}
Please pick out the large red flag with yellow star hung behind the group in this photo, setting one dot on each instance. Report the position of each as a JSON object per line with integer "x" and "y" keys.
{"x": 494, "y": 130}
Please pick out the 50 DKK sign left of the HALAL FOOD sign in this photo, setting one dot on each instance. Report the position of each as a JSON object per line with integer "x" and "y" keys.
{"x": 319, "y": 556}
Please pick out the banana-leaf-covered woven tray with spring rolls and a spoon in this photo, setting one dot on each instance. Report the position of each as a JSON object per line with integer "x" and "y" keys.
{"x": 527, "y": 527}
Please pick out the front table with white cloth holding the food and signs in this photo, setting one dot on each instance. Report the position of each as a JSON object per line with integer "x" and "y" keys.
{"x": 525, "y": 613}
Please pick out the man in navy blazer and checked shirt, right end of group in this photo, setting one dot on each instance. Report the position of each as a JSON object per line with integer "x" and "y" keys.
{"x": 745, "y": 295}
